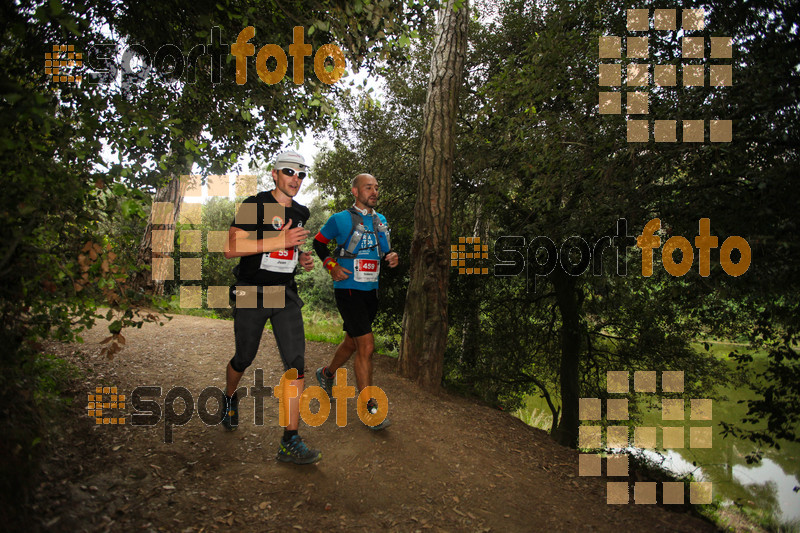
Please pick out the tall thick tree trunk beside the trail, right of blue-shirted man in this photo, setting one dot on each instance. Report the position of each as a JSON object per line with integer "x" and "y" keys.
{"x": 425, "y": 318}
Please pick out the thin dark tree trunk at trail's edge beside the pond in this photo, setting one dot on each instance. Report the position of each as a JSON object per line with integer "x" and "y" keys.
{"x": 569, "y": 303}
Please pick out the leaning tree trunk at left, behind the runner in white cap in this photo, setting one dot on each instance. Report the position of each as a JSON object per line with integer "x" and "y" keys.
{"x": 173, "y": 193}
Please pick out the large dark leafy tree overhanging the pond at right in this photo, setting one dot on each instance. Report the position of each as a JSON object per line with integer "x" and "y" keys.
{"x": 583, "y": 175}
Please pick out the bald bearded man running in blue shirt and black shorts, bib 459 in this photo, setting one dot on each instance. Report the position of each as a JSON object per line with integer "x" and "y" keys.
{"x": 362, "y": 237}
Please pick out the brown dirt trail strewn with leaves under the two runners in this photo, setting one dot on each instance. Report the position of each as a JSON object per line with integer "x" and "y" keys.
{"x": 446, "y": 464}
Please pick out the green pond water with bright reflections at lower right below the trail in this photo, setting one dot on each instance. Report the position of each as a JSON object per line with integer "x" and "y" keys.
{"x": 769, "y": 485}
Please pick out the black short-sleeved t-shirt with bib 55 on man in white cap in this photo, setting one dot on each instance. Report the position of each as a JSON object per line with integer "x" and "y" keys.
{"x": 266, "y": 219}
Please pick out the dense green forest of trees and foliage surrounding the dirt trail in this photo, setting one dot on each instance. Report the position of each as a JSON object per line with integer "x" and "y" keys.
{"x": 533, "y": 158}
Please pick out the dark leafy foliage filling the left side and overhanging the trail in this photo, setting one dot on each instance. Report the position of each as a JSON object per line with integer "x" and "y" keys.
{"x": 170, "y": 110}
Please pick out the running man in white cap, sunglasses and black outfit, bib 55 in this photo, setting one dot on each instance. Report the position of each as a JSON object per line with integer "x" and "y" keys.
{"x": 267, "y": 238}
